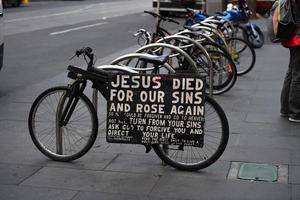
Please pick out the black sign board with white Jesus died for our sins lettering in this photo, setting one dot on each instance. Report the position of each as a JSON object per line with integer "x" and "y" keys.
{"x": 156, "y": 109}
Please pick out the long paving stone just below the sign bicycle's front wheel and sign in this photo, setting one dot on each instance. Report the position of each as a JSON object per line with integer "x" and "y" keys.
{"x": 88, "y": 180}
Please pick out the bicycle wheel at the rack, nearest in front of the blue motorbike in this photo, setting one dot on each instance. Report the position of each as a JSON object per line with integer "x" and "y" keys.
{"x": 239, "y": 57}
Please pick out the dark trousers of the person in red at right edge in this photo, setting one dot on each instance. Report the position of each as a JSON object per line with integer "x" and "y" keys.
{"x": 290, "y": 94}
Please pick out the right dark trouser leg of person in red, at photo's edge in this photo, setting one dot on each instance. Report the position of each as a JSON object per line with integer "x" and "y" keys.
{"x": 294, "y": 96}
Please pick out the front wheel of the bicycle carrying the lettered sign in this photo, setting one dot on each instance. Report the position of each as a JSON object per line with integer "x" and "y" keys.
{"x": 67, "y": 142}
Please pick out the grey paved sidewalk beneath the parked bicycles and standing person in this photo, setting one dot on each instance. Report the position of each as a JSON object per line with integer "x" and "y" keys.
{"x": 111, "y": 171}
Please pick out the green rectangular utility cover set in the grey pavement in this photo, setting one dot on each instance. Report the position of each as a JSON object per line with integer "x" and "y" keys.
{"x": 258, "y": 172}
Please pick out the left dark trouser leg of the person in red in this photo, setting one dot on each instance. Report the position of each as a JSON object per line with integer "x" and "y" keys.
{"x": 285, "y": 92}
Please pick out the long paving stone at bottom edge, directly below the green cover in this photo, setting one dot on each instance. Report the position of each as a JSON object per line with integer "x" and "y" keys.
{"x": 195, "y": 188}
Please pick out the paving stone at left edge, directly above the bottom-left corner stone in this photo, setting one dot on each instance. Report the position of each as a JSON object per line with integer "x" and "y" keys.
{"x": 14, "y": 174}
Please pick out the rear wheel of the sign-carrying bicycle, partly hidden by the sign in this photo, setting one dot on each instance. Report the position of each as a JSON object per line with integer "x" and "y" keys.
{"x": 213, "y": 111}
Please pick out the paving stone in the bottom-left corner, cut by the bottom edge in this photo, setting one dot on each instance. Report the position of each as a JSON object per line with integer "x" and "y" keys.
{"x": 11, "y": 192}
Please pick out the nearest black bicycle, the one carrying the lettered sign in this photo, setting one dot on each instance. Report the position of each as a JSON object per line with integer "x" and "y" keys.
{"x": 63, "y": 122}
